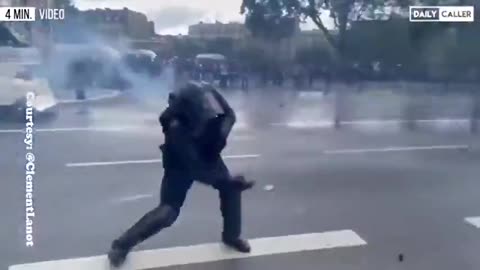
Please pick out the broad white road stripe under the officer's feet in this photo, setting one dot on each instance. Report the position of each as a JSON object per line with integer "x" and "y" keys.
{"x": 212, "y": 252}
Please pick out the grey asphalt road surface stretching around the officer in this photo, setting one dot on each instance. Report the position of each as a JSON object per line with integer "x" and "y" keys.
{"x": 402, "y": 191}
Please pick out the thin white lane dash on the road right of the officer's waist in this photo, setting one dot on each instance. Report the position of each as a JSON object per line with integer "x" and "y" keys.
{"x": 395, "y": 149}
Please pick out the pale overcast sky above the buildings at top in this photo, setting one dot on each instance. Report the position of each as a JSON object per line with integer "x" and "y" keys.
{"x": 173, "y": 17}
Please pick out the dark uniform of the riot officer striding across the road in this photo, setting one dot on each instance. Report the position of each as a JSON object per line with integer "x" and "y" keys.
{"x": 191, "y": 152}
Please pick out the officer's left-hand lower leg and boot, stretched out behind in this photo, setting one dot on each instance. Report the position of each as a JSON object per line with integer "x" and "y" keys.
{"x": 151, "y": 223}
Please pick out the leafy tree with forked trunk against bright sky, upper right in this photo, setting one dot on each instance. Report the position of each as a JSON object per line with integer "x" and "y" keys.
{"x": 266, "y": 17}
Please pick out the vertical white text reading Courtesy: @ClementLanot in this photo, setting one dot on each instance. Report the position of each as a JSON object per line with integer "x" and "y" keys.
{"x": 29, "y": 169}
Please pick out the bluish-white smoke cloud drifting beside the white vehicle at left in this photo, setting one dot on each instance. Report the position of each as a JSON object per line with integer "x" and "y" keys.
{"x": 109, "y": 64}
